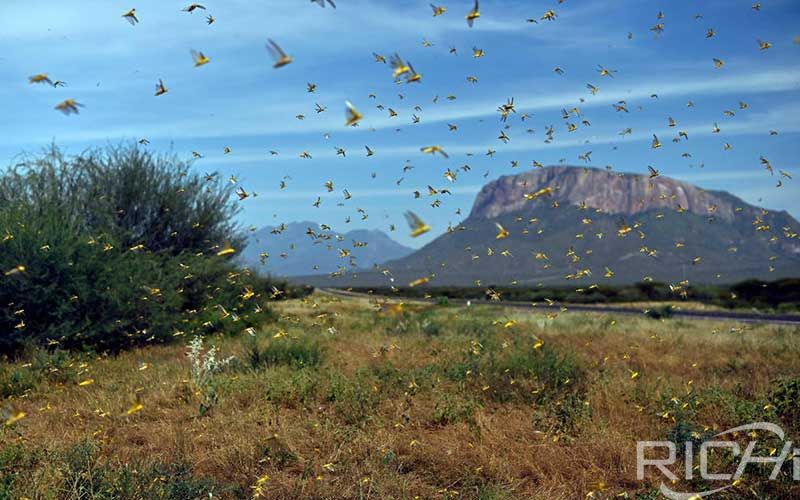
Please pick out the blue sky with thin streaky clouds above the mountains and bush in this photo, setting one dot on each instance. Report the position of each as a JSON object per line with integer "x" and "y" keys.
{"x": 239, "y": 101}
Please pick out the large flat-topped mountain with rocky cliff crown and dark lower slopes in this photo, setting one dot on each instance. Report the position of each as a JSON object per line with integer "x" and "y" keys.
{"x": 574, "y": 225}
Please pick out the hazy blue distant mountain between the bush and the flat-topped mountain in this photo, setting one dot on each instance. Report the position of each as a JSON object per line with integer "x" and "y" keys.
{"x": 302, "y": 248}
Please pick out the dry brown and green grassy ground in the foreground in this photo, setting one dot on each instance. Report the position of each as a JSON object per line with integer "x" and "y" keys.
{"x": 351, "y": 399}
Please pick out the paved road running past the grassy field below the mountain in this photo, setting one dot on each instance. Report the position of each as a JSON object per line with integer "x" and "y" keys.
{"x": 737, "y": 316}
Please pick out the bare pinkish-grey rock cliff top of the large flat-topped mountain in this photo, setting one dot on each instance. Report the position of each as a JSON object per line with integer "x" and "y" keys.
{"x": 604, "y": 190}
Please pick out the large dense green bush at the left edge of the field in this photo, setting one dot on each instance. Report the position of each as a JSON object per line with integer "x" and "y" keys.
{"x": 118, "y": 247}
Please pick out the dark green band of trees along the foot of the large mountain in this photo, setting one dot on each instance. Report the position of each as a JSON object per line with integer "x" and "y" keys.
{"x": 781, "y": 295}
